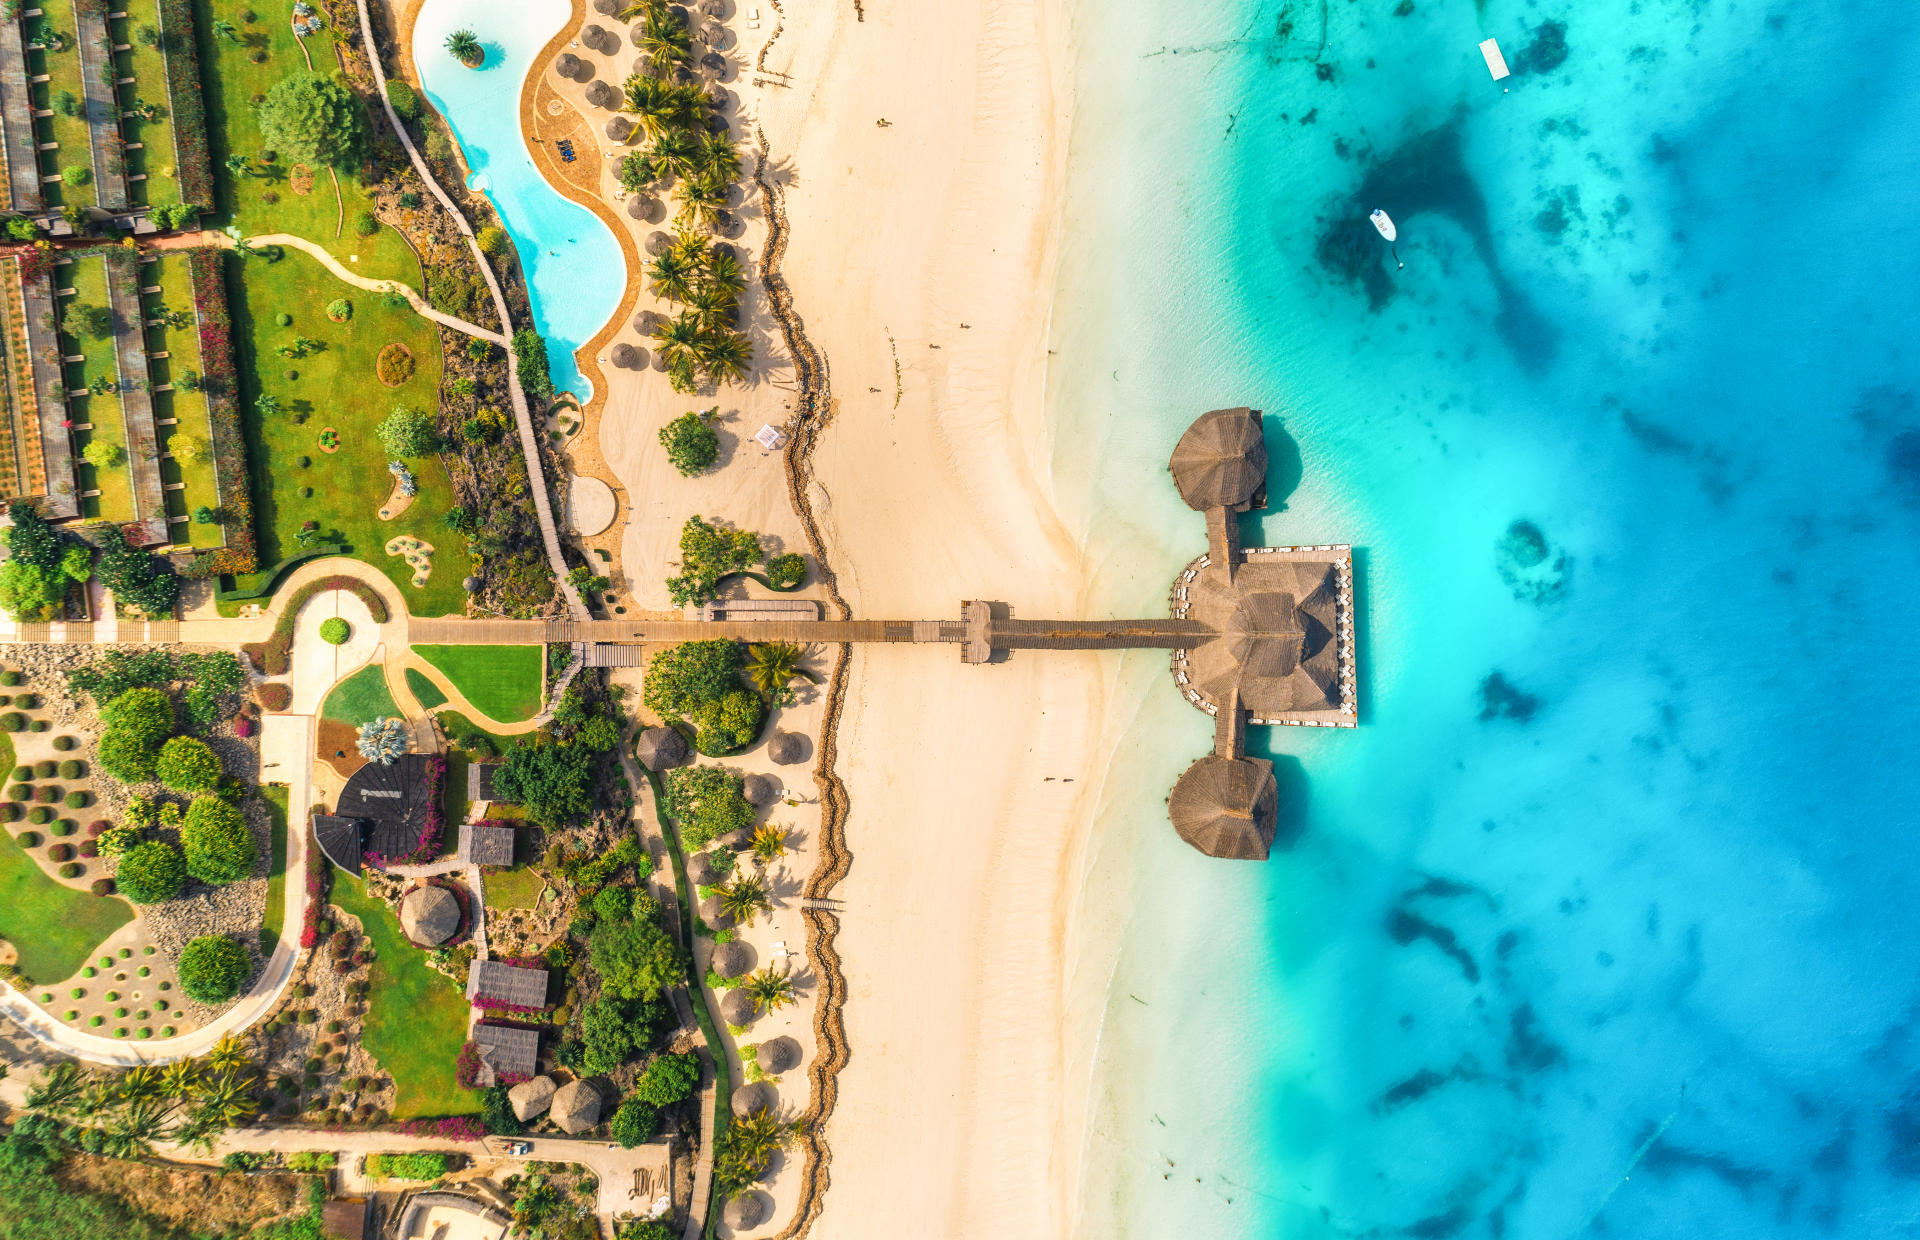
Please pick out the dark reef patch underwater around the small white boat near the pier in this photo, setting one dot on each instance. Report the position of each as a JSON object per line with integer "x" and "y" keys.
{"x": 1429, "y": 176}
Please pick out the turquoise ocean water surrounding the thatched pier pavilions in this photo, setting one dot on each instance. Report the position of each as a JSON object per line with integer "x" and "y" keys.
{"x": 1602, "y": 924}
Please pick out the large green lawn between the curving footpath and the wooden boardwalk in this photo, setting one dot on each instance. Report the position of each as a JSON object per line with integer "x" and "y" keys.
{"x": 337, "y": 389}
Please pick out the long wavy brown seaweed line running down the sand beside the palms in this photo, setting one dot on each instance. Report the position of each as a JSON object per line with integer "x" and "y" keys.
{"x": 830, "y": 1032}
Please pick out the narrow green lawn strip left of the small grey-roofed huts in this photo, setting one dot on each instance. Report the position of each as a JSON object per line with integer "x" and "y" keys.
{"x": 416, "y": 1016}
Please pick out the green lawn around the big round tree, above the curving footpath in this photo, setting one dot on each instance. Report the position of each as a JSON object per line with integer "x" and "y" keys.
{"x": 231, "y": 80}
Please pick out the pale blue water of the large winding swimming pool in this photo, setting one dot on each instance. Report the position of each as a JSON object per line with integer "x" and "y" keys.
{"x": 573, "y": 262}
